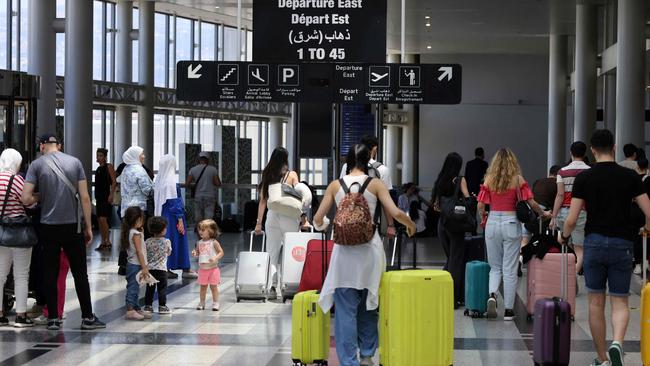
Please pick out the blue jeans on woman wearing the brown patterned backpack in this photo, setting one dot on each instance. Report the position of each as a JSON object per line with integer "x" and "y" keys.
{"x": 355, "y": 327}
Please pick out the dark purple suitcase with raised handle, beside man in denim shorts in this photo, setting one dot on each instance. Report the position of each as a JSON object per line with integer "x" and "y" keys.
{"x": 552, "y": 327}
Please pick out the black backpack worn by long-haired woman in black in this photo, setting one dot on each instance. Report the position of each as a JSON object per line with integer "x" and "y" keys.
{"x": 458, "y": 213}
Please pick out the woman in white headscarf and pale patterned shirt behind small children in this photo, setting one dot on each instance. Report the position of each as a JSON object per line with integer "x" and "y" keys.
{"x": 135, "y": 188}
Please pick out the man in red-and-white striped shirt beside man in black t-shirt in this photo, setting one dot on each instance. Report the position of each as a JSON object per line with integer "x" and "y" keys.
{"x": 565, "y": 178}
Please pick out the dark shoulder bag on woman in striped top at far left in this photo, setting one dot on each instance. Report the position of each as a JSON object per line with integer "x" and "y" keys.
{"x": 16, "y": 232}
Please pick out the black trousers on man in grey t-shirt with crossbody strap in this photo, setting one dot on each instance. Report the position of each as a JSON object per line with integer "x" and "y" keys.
{"x": 55, "y": 238}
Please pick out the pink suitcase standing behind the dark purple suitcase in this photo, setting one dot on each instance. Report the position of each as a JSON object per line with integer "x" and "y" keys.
{"x": 544, "y": 281}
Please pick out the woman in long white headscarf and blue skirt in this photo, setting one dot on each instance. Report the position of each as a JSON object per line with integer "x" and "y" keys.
{"x": 169, "y": 204}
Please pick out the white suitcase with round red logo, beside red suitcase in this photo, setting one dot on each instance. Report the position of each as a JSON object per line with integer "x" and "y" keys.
{"x": 293, "y": 259}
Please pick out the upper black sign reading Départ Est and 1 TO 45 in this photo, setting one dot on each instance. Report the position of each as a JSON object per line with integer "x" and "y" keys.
{"x": 319, "y": 30}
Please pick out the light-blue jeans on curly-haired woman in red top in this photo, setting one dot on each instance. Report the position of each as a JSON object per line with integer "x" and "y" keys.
{"x": 503, "y": 241}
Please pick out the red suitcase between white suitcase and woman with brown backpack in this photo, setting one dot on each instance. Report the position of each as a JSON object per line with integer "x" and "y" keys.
{"x": 319, "y": 252}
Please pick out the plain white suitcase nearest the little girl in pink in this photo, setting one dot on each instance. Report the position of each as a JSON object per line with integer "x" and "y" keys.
{"x": 252, "y": 273}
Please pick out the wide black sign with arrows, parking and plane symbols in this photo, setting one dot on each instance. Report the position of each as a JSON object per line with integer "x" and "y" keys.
{"x": 352, "y": 83}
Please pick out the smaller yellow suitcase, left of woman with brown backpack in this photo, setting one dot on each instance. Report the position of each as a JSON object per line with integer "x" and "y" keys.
{"x": 310, "y": 330}
